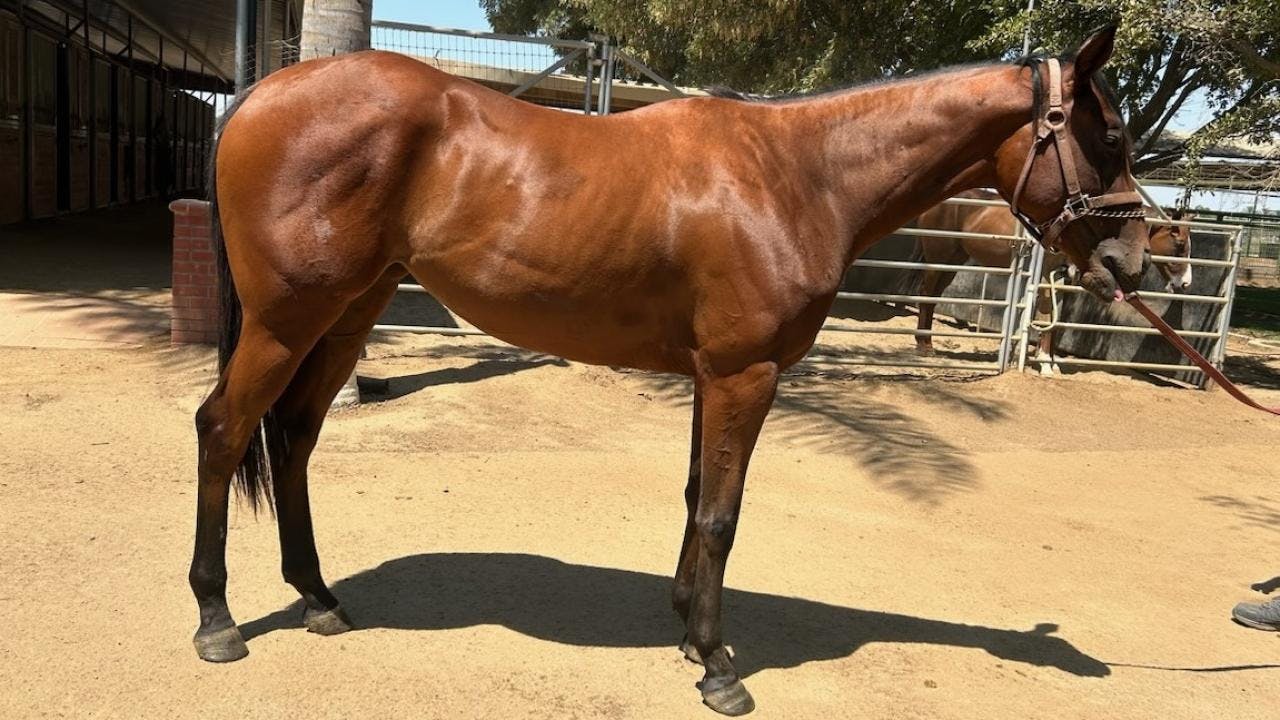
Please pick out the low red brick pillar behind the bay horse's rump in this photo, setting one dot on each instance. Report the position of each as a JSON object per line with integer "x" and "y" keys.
{"x": 195, "y": 279}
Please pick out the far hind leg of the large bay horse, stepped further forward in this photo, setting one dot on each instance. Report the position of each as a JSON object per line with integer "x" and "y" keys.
{"x": 300, "y": 414}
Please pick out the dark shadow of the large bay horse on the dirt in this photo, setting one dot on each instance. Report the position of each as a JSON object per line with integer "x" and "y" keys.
{"x": 583, "y": 605}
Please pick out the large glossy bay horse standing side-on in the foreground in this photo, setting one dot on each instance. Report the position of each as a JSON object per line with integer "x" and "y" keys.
{"x": 701, "y": 236}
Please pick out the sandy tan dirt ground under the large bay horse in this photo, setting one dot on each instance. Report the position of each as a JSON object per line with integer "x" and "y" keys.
{"x": 502, "y": 527}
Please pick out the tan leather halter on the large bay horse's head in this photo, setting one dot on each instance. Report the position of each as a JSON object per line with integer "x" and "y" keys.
{"x": 1053, "y": 126}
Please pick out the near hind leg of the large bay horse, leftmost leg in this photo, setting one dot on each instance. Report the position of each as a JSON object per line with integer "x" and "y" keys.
{"x": 259, "y": 371}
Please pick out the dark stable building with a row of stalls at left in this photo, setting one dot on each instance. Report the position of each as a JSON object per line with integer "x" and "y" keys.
{"x": 108, "y": 103}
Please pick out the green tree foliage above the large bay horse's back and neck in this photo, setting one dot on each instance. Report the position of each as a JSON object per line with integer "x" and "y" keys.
{"x": 1222, "y": 53}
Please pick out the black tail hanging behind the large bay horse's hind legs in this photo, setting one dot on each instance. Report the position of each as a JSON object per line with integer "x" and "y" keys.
{"x": 254, "y": 475}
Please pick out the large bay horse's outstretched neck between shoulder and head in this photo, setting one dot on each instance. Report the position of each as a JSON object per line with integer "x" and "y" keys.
{"x": 899, "y": 149}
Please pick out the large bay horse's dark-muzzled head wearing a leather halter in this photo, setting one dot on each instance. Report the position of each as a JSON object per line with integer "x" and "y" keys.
{"x": 1067, "y": 174}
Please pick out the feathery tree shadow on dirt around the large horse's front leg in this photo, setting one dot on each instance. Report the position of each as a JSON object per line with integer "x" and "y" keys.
{"x": 899, "y": 450}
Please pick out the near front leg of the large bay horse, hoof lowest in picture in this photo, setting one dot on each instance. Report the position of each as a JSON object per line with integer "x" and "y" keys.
{"x": 734, "y": 409}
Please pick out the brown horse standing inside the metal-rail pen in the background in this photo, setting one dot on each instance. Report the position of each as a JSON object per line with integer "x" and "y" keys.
{"x": 994, "y": 253}
